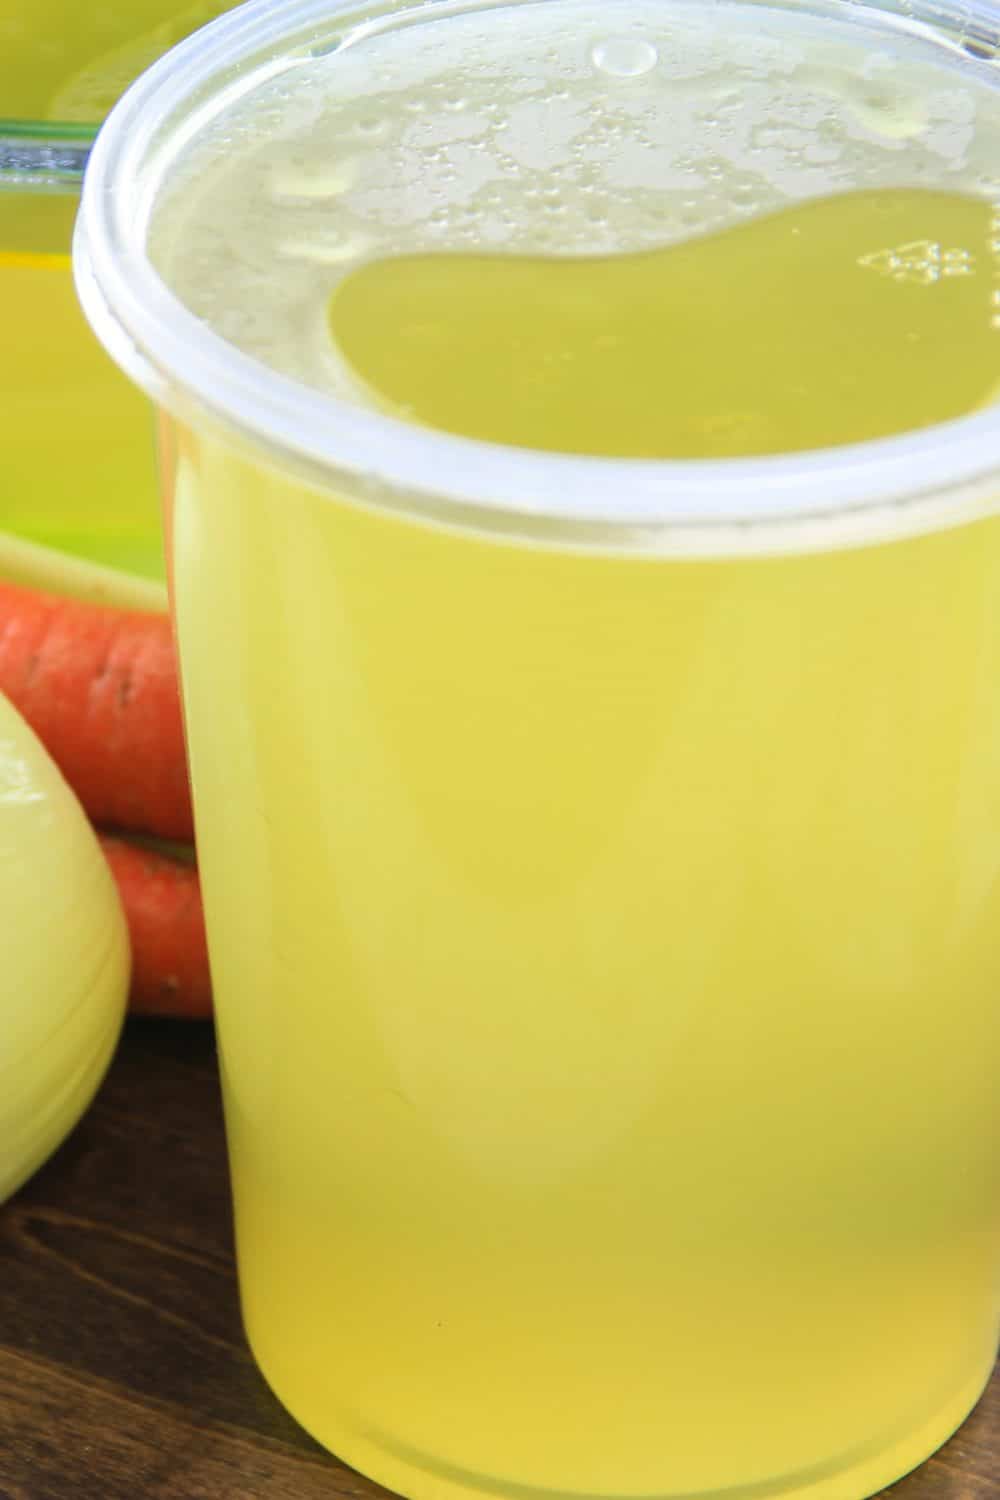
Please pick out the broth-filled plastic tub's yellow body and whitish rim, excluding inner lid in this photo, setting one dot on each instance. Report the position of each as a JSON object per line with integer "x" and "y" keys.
{"x": 600, "y": 875}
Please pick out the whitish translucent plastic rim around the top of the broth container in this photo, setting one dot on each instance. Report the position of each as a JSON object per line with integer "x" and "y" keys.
{"x": 914, "y": 482}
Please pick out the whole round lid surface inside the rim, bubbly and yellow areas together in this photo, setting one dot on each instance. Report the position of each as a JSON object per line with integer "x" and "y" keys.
{"x": 540, "y": 136}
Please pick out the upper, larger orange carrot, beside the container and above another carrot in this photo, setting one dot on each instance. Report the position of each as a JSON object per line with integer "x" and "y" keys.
{"x": 100, "y": 689}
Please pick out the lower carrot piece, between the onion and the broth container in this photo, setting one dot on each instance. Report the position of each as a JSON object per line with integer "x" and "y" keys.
{"x": 163, "y": 908}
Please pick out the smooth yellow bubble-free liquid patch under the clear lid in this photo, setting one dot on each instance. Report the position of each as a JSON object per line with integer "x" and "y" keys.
{"x": 837, "y": 322}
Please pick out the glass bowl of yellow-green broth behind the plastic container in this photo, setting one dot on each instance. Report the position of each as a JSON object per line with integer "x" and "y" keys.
{"x": 77, "y": 439}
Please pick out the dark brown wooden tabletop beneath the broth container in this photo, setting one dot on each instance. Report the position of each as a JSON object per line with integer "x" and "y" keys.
{"x": 124, "y": 1373}
